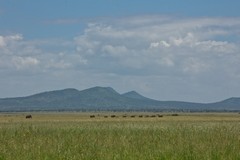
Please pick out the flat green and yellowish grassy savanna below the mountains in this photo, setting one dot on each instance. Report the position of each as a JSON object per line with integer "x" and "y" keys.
{"x": 76, "y": 136}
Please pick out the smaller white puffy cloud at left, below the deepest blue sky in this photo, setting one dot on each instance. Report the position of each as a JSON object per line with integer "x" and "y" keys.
{"x": 17, "y": 54}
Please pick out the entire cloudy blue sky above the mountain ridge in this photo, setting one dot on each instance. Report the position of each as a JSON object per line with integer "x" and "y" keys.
{"x": 163, "y": 49}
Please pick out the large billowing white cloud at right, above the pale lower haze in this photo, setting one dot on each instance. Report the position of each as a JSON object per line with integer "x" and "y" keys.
{"x": 155, "y": 41}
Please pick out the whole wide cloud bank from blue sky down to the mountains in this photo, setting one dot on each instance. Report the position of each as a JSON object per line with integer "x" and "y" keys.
{"x": 164, "y": 57}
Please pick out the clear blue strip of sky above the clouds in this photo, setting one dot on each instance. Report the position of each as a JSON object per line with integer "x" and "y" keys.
{"x": 36, "y": 18}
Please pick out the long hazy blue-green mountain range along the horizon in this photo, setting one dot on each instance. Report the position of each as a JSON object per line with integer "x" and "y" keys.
{"x": 106, "y": 99}
